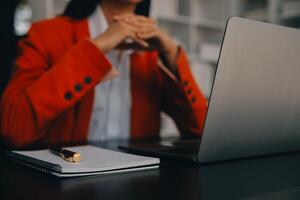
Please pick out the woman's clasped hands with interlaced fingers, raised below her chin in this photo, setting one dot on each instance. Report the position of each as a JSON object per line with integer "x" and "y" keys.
{"x": 144, "y": 33}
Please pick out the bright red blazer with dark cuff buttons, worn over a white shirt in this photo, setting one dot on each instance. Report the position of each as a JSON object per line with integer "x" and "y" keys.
{"x": 49, "y": 98}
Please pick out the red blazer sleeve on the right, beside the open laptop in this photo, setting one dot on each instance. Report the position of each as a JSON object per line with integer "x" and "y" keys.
{"x": 182, "y": 98}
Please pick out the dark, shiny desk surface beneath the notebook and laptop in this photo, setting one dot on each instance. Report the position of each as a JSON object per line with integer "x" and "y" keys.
{"x": 272, "y": 177}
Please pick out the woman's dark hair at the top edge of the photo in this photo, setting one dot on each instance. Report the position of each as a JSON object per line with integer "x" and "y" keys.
{"x": 80, "y": 9}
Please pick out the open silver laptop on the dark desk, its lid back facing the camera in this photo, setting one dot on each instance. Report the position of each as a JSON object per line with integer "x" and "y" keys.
{"x": 254, "y": 108}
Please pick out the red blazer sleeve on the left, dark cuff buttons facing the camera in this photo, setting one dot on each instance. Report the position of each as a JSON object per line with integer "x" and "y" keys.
{"x": 40, "y": 90}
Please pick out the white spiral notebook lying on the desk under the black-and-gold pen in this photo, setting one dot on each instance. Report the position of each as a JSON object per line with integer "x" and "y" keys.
{"x": 94, "y": 161}
